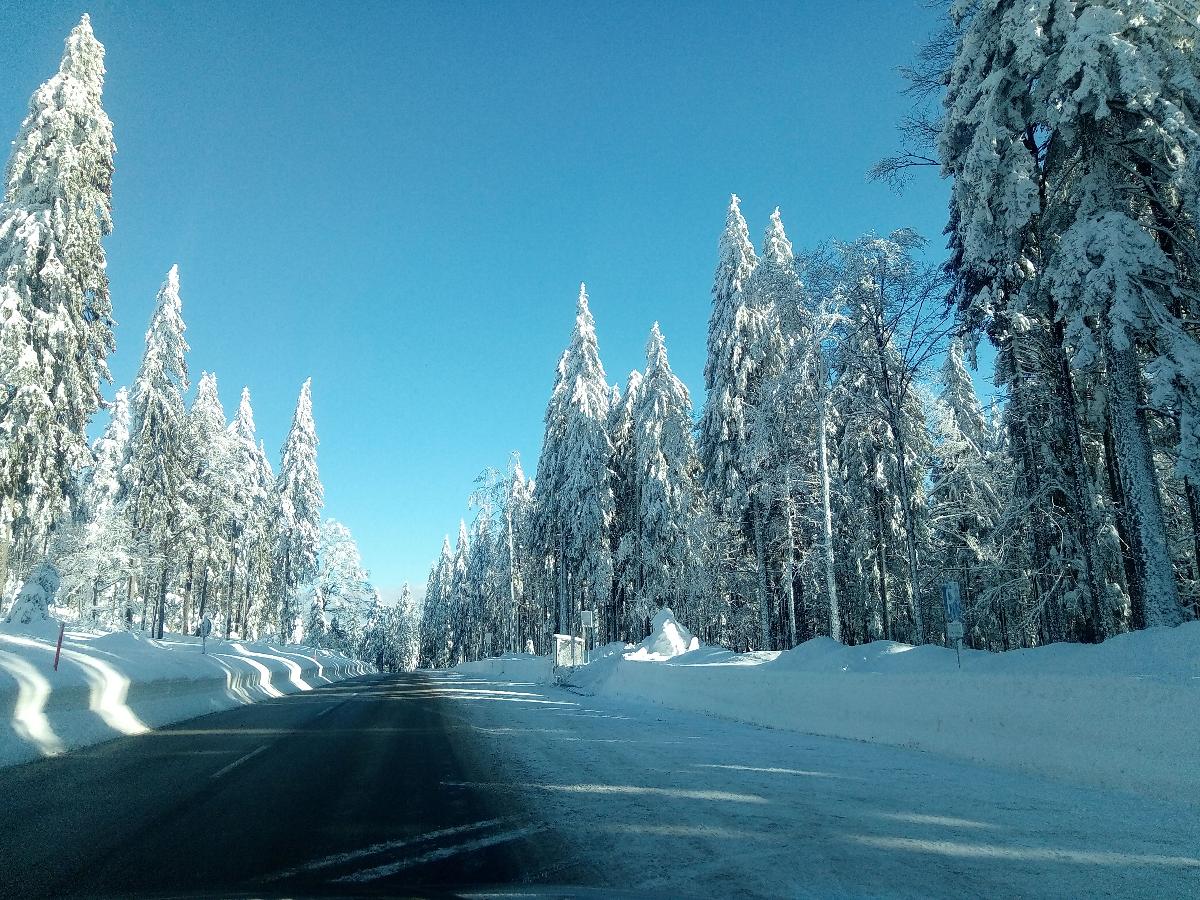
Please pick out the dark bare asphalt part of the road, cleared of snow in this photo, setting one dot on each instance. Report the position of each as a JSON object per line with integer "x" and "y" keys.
{"x": 337, "y": 791}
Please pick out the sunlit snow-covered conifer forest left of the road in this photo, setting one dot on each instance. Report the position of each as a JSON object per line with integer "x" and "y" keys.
{"x": 173, "y": 514}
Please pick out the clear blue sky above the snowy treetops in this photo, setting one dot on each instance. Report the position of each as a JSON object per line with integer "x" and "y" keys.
{"x": 400, "y": 200}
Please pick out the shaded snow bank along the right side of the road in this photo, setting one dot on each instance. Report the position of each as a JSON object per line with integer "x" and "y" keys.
{"x": 1124, "y": 715}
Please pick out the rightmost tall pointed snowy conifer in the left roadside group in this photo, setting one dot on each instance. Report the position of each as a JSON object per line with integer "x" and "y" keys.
{"x": 301, "y": 497}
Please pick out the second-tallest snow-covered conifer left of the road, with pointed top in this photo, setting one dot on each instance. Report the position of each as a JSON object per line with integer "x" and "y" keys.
{"x": 155, "y": 496}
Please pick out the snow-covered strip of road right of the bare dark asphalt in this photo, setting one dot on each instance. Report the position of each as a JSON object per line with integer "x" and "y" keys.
{"x": 681, "y": 805}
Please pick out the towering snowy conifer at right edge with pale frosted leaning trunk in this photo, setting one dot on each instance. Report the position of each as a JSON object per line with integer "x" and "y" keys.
{"x": 1123, "y": 121}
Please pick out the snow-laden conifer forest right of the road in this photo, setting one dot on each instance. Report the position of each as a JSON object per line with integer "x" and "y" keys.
{"x": 842, "y": 467}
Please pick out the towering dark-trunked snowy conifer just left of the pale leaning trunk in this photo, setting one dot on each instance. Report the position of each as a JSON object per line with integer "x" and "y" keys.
{"x": 1001, "y": 146}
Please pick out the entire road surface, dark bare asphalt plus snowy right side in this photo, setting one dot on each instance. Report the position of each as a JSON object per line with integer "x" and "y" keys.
{"x": 434, "y": 784}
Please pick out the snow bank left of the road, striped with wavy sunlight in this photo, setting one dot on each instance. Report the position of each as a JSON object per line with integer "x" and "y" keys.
{"x": 123, "y": 683}
